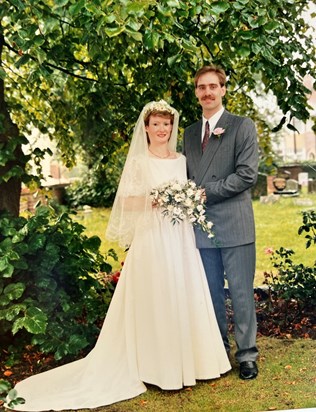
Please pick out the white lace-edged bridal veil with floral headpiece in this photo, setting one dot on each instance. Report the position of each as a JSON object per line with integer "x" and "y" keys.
{"x": 132, "y": 203}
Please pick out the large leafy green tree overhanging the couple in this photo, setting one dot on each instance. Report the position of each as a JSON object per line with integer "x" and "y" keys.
{"x": 80, "y": 70}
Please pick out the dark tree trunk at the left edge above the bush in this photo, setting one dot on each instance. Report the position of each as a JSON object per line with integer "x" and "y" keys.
{"x": 10, "y": 191}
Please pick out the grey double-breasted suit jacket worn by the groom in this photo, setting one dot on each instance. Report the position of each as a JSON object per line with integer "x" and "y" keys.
{"x": 227, "y": 170}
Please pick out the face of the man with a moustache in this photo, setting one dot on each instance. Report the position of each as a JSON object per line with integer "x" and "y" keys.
{"x": 209, "y": 93}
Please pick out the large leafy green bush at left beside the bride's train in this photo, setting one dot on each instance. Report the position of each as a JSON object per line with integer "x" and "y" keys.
{"x": 50, "y": 293}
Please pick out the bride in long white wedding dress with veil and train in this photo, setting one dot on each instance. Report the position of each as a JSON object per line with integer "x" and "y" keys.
{"x": 160, "y": 327}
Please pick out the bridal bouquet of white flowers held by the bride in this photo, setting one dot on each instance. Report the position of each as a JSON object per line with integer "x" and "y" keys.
{"x": 180, "y": 201}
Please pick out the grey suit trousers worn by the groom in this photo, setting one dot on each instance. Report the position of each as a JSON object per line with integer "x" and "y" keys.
{"x": 237, "y": 265}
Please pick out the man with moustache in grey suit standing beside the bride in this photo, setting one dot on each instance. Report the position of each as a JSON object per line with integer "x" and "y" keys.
{"x": 227, "y": 167}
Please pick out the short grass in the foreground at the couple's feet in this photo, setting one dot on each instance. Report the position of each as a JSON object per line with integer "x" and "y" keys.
{"x": 286, "y": 380}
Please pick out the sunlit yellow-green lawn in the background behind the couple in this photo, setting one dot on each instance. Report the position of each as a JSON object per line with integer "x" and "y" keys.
{"x": 276, "y": 226}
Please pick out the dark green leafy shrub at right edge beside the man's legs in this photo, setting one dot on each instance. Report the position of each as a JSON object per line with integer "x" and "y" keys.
{"x": 295, "y": 281}
